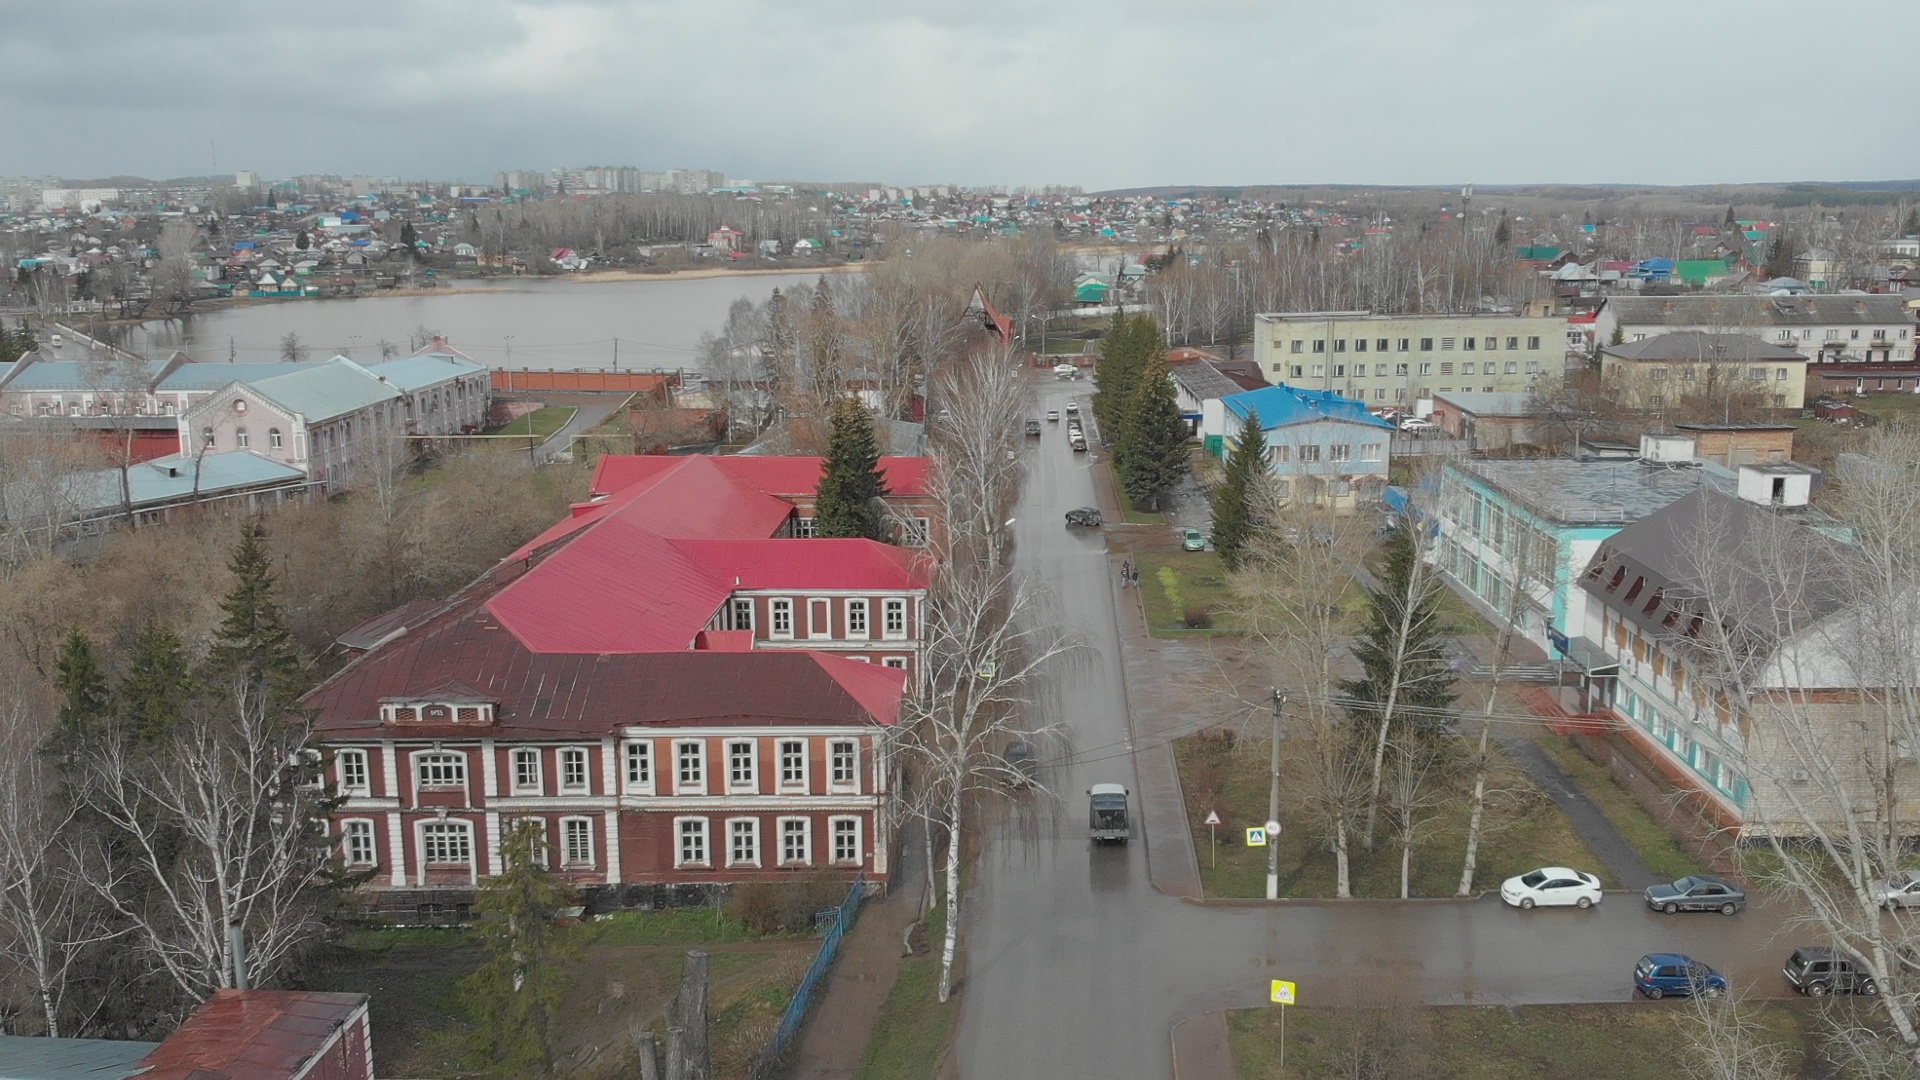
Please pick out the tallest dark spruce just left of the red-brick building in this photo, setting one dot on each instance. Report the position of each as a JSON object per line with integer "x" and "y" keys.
{"x": 254, "y": 650}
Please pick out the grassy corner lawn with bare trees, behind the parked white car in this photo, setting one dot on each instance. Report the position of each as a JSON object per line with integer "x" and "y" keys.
{"x": 1230, "y": 777}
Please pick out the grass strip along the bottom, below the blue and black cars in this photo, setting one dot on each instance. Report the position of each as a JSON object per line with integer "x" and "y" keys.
{"x": 1641, "y": 1041}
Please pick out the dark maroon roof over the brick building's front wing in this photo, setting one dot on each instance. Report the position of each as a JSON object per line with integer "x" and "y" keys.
{"x": 567, "y": 695}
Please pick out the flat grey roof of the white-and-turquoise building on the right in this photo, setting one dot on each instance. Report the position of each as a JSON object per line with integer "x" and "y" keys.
{"x": 1598, "y": 491}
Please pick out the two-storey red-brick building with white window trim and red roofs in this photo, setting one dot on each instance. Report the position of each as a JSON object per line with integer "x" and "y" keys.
{"x": 677, "y": 681}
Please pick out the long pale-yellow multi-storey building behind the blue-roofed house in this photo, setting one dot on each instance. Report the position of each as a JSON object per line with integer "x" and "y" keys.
{"x": 1395, "y": 360}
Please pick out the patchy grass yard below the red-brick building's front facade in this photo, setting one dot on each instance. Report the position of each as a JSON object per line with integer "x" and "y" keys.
{"x": 625, "y": 973}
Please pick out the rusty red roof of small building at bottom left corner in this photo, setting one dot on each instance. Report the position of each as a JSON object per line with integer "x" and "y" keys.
{"x": 252, "y": 1035}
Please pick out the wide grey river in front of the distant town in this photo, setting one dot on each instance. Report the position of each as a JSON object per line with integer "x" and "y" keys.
{"x": 638, "y": 326}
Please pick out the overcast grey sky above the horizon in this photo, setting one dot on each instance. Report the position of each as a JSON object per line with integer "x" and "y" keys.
{"x": 1097, "y": 93}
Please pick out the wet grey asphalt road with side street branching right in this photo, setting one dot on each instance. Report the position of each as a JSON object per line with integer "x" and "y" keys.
{"x": 1080, "y": 968}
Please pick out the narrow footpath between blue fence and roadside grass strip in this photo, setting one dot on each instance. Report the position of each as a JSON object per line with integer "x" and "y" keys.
{"x": 834, "y": 1039}
